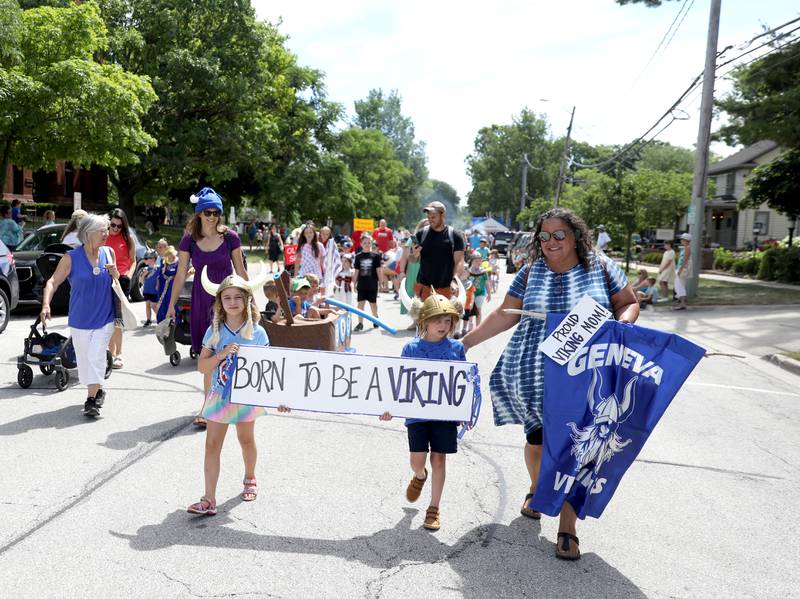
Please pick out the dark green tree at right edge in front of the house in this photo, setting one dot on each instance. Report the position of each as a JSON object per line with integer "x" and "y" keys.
{"x": 776, "y": 183}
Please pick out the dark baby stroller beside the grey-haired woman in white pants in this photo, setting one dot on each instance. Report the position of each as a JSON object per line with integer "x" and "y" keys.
{"x": 52, "y": 353}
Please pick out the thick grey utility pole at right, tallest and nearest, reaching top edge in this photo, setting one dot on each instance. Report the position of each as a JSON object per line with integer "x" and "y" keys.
{"x": 697, "y": 212}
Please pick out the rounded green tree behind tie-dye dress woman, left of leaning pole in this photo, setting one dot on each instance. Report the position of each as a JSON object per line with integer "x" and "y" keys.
{"x": 495, "y": 164}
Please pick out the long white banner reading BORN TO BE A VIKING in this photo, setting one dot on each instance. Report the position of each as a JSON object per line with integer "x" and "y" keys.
{"x": 344, "y": 383}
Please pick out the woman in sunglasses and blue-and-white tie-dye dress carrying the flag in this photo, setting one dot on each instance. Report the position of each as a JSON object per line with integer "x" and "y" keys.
{"x": 563, "y": 269}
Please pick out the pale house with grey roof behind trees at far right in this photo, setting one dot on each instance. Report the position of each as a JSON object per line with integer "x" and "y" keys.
{"x": 726, "y": 224}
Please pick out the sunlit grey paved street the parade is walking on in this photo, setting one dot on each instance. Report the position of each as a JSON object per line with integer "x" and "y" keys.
{"x": 97, "y": 509}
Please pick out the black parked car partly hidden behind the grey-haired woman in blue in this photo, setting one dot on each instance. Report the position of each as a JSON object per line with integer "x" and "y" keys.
{"x": 31, "y": 282}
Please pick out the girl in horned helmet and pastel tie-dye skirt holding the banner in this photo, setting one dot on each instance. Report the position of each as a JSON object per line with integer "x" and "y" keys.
{"x": 234, "y": 323}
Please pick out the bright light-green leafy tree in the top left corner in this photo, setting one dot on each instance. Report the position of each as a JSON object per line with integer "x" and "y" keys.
{"x": 59, "y": 103}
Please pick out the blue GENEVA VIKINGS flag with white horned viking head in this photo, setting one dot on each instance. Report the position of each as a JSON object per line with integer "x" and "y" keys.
{"x": 600, "y": 408}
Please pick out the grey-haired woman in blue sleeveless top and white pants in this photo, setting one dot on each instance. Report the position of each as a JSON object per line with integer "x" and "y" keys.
{"x": 90, "y": 269}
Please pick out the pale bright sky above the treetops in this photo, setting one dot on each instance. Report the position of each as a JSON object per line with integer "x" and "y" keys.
{"x": 460, "y": 66}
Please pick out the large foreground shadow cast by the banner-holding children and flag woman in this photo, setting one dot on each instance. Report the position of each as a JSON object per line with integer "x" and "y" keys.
{"x": 492, "y": 560}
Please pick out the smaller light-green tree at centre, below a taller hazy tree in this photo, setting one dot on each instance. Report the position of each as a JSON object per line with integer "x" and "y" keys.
{"x": 370, "y": 156}
